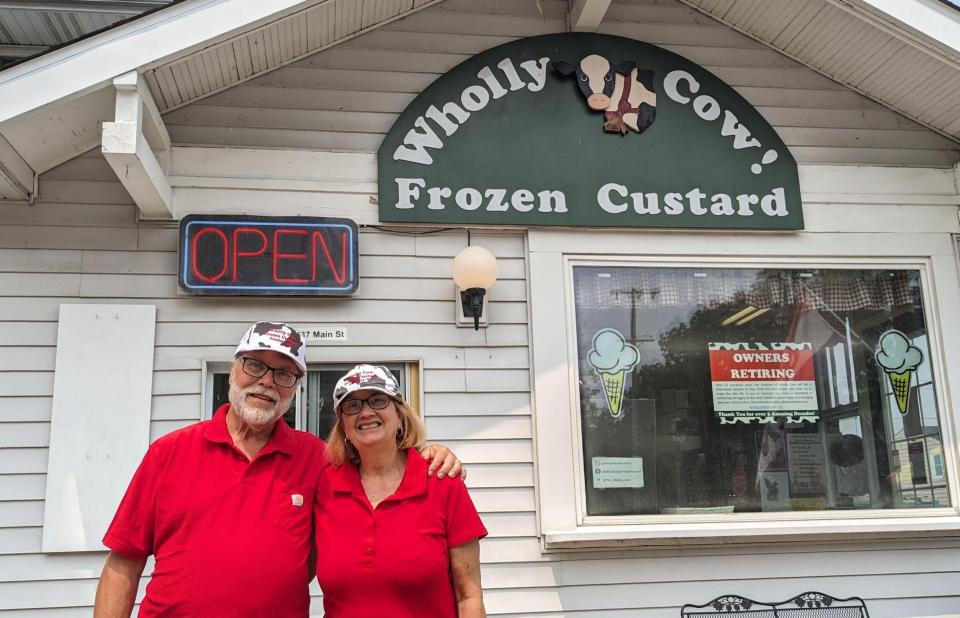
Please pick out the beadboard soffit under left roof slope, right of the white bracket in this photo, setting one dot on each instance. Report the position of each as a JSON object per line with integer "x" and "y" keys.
{"x": 230, "y": 62}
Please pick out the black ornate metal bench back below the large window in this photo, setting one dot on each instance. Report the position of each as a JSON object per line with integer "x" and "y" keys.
{"x": 806, "y": 605}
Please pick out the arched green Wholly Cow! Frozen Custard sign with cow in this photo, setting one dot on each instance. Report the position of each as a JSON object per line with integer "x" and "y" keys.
{"x": 586, "y": 130}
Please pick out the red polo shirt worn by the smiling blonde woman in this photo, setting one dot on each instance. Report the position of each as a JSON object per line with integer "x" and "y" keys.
{"x": 392, "y": 561}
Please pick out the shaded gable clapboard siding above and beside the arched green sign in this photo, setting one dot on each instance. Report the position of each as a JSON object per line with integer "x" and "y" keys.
{"x": 347, "y": 97}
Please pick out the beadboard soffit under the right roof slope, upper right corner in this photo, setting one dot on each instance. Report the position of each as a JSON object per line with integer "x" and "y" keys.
{"x": 851, "y": 43}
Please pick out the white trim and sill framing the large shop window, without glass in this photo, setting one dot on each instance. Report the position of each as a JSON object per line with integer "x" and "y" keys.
{"x": 562, "y": 518}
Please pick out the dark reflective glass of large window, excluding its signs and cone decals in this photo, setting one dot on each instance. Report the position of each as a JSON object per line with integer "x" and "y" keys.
{"x": 691, "y": 461}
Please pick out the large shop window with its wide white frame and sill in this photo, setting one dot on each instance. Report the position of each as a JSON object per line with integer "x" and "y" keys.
{"x": 756, "y": 408}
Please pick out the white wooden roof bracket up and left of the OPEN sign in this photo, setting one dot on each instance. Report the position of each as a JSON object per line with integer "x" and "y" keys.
{"x": 137, "y": 147}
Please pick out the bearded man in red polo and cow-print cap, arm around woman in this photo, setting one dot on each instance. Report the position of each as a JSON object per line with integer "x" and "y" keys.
{"x": 224, "y": 505}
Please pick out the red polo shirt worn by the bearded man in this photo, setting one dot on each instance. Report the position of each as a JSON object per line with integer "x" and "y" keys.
{"x": 231, "y": 537}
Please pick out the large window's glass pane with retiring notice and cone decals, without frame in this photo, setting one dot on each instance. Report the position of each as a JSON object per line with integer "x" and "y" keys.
{"x": 738, "y": 390}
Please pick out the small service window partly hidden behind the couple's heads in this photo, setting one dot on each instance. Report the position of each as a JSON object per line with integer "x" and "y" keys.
{"x": 312, "y": 407}
